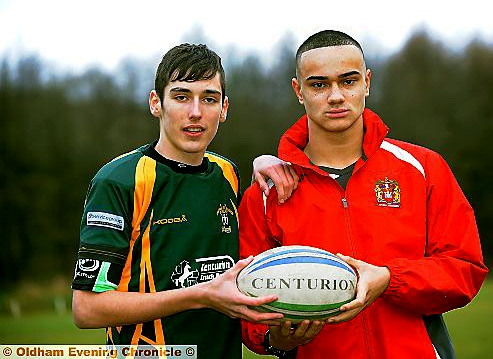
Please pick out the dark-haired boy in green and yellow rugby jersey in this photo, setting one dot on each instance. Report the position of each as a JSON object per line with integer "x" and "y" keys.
{"x": 158, "y": 252}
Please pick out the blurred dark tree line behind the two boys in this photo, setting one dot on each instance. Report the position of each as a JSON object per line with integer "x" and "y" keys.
{"x": 56, "y": 130}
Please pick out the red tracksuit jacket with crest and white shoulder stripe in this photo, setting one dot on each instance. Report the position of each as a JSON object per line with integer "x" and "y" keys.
{"x": 402, "y": 208}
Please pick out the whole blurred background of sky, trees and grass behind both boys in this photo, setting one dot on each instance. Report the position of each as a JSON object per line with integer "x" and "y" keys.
{"x": 74, "y": 85}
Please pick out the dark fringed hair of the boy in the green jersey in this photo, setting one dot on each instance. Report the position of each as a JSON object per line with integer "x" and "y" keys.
{"x": 189, "y": 62}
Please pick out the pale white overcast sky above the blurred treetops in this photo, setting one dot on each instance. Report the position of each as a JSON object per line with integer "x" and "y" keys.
{"x": 76, "y": 34}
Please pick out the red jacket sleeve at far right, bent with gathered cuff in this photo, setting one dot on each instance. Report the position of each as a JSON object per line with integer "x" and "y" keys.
{"x": 452, "y": 270}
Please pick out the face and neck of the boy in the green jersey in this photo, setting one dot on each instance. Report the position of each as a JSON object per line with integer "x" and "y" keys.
{"x": 189, "y": 113}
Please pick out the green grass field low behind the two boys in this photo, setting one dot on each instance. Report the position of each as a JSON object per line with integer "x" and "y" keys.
{"x": 469, "y": 327}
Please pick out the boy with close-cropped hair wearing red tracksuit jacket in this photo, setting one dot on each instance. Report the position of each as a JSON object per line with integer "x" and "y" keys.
{"x": 392, "y": 208}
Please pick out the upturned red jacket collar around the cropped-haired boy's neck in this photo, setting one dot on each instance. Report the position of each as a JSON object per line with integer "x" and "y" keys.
{"x": 294, "y": 140}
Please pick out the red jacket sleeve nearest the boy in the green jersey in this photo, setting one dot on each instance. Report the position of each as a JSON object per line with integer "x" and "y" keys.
{"x": 254, "y": 239}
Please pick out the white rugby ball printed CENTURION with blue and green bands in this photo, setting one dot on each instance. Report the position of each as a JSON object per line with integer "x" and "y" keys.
{"x": 310, "y": 283}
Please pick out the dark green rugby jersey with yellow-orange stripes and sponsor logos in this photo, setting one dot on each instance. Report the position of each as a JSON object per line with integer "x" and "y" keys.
{"x": 151, "y": 224}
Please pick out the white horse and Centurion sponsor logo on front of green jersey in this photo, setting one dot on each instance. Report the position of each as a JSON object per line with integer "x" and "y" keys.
{"x": 200, "y": 270}
